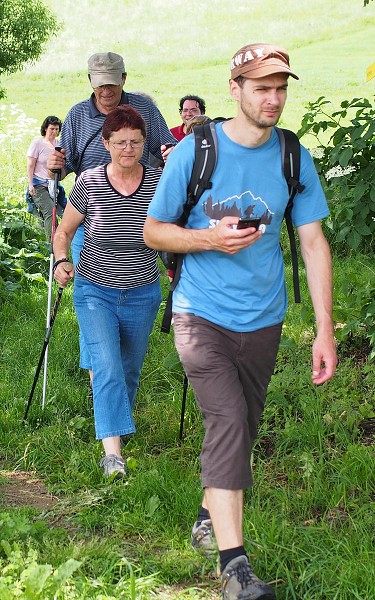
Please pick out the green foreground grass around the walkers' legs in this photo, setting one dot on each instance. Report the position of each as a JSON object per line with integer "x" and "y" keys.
{"x": 309, "y": 519}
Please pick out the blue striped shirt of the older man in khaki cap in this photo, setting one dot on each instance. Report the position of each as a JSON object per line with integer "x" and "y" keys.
{"x": 82, "y": 128}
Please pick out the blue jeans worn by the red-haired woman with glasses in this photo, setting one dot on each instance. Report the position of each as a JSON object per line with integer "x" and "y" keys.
{"x": 115, "y": 325}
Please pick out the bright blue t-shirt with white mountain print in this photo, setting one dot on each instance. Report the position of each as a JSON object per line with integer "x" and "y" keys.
{"x": 245, "y": 291}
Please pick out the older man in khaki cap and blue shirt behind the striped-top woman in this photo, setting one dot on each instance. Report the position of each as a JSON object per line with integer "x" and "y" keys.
{"x": 81, "y": 135}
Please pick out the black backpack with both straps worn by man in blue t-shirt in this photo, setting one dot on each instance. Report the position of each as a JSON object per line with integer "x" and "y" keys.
{"x": 204, "y": 166}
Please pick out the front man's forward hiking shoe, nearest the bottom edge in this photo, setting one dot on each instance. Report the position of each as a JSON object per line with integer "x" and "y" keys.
{"x": 239, "y": 582}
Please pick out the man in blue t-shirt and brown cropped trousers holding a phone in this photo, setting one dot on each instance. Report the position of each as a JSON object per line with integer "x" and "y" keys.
{"x": 230, "y": 301}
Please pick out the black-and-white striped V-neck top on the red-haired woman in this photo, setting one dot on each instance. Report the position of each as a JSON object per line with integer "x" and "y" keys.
{"x": 114, "y": 253}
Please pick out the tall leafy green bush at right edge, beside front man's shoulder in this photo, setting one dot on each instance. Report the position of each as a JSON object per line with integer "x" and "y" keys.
{"x": 346, "y": 164}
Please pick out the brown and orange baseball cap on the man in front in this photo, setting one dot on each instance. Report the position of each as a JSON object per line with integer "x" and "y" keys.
{"x": 259, "y": 60}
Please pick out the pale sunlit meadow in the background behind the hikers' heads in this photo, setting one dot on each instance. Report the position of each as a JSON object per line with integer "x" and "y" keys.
{"x": 171, "y": 49}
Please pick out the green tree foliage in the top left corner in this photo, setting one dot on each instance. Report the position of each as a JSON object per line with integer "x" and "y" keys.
{"x": 25, "y": 27}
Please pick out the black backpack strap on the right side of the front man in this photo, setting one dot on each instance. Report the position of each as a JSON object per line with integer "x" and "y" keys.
{"x": 291, "y": 165}
